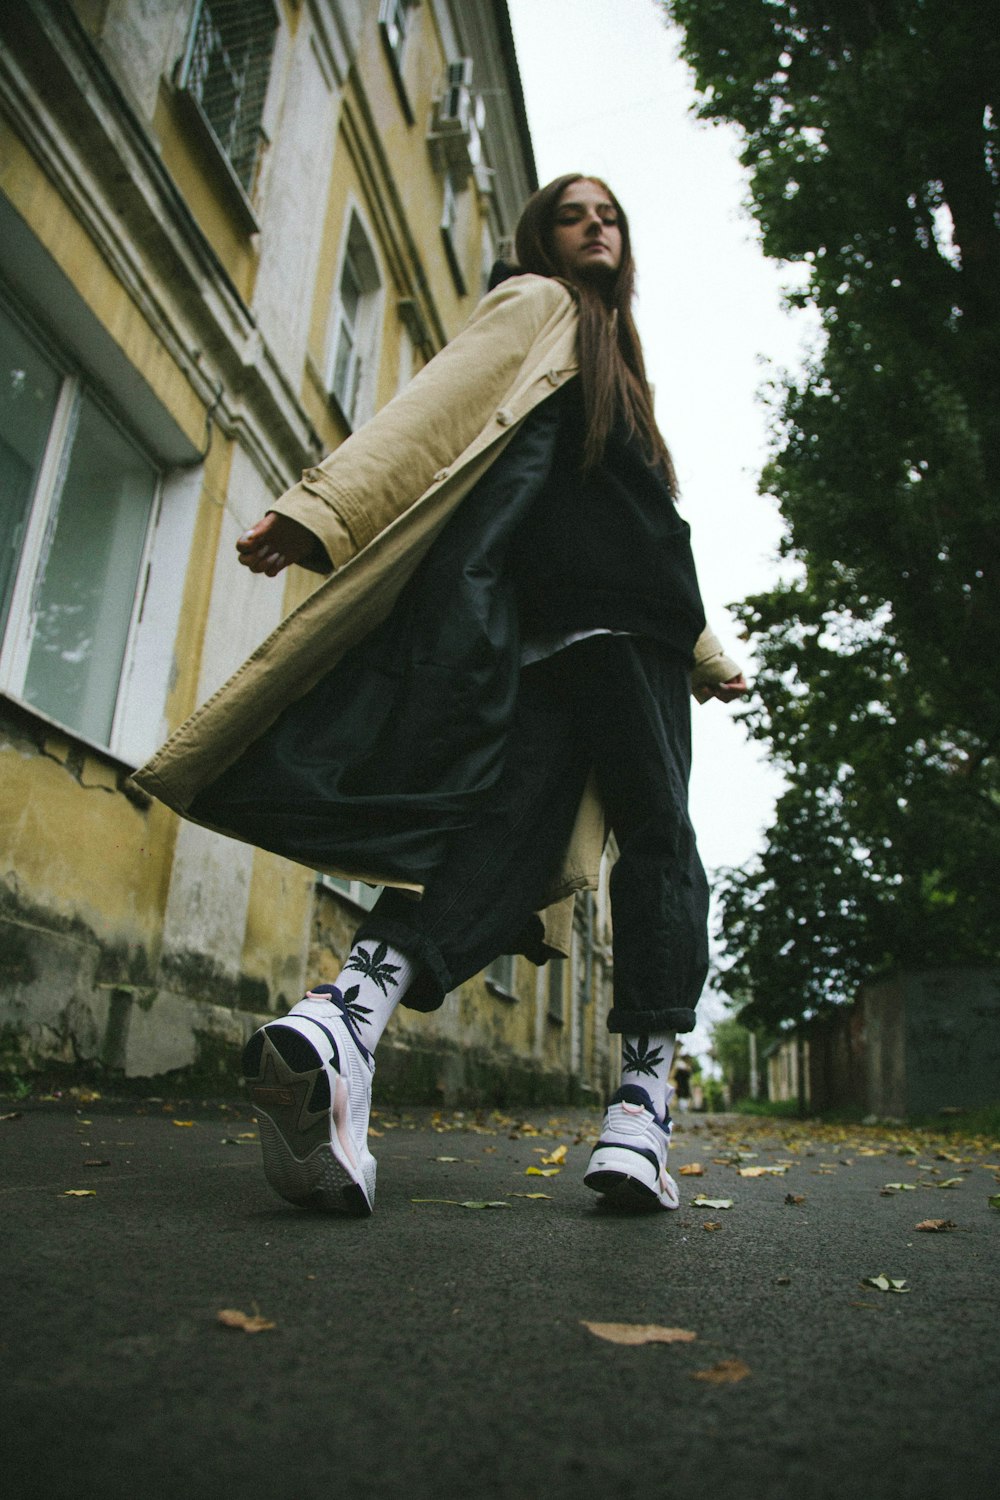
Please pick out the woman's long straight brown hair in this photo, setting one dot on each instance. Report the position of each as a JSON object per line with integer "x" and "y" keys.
{"x": 612, "y": 368}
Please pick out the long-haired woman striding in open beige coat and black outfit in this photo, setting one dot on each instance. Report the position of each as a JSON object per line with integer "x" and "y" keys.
{"x": 475, "y": 698}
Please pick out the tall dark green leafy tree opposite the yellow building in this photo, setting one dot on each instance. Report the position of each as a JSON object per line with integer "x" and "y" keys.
{"x": 872, "y": 134}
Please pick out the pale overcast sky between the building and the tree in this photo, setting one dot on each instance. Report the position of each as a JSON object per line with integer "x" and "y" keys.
{"x": 606, "y": 94}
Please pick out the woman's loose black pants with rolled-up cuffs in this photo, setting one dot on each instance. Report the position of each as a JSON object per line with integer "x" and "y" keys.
{"x": 621, "y": 706}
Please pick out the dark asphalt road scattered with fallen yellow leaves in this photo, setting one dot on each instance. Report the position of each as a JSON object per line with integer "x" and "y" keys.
{"x": 439, "y": 1351}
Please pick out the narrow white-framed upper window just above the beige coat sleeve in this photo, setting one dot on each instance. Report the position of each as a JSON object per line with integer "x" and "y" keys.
{"x": 353, "y": 346}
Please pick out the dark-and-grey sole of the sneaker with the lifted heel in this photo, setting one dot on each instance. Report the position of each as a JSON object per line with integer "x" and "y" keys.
{"x": 302, "y": 1124}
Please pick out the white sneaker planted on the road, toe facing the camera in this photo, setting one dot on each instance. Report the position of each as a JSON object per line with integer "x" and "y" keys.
{"x": 629, "y": 1163}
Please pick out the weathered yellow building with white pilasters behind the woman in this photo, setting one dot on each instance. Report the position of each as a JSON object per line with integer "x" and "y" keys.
{"x": 230, "y": 230}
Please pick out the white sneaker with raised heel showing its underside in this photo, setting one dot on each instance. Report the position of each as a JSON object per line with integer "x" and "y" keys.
{"x": 310, "y": 1079}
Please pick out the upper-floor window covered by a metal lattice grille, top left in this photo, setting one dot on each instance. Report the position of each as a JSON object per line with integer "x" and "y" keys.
{"x": 226, "y": 73}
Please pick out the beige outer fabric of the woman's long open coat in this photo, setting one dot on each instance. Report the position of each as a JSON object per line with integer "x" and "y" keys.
{"x": 377, "y": 505}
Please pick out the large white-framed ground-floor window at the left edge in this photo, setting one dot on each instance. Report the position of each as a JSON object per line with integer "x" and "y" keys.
{"x": 77, "y": 499}
